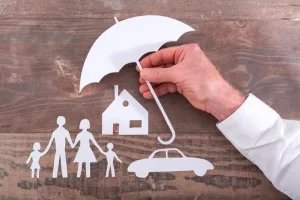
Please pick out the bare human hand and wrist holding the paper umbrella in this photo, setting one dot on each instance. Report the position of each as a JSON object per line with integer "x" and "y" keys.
{"x": 187, "y": 70}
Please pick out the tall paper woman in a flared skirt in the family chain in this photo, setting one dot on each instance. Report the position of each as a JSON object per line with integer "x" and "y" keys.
{"x": 85, "y": 153}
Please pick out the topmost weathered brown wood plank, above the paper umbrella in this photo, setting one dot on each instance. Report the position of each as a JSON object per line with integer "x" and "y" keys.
{"x": 180, "y": 9}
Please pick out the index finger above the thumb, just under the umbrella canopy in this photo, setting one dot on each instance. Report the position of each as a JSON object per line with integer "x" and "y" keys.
{"x": 161, "y": 57}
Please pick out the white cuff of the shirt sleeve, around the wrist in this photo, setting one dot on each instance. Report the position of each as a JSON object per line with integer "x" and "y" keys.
{"x": 246, "y": 125}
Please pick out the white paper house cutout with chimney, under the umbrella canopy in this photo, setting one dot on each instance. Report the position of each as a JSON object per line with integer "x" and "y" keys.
{"x": 121, "y": 111}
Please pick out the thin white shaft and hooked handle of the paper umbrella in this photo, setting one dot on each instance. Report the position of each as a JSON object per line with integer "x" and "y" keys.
{"x": 162, "y": 111}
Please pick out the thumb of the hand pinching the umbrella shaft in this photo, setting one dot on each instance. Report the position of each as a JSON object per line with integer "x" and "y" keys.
{"x": 159, "y": 75}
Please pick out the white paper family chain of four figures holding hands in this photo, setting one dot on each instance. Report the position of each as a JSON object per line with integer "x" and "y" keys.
{"x": 84, "y": 153}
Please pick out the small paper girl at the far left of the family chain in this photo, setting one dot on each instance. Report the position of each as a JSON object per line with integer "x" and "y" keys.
{"x": 35, "y": 156}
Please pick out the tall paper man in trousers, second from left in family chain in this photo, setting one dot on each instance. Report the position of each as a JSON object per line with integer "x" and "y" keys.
{"x": 60, "y": 135}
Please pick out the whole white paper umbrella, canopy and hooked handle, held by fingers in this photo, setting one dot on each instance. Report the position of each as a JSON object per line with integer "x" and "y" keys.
{"x": 126, "y": 42}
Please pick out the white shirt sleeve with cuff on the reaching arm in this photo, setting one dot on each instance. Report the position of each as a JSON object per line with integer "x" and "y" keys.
{"x": 270, "y": 142}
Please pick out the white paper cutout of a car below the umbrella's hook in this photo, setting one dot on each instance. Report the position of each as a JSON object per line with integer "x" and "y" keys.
{"x": 144, "y": 166}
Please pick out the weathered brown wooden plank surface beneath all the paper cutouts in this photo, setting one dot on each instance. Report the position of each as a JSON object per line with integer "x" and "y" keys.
{"x": 43, "y": 45}
